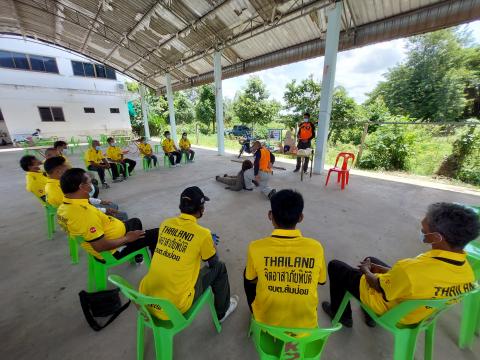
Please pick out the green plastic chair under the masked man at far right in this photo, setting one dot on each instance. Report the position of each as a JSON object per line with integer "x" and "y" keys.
{"x": 406, "y": 335}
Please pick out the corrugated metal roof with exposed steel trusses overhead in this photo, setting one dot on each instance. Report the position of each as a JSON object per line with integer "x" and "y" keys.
{"x": 145, "y": 39}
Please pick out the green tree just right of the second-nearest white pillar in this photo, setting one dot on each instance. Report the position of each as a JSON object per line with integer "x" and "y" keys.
{"x": 253, "y": 106}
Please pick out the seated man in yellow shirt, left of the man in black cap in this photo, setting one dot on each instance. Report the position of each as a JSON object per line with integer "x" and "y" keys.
{"x": 100, "y": 231}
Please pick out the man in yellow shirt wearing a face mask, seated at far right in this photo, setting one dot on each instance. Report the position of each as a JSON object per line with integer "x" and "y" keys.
{"x": 441, "y": 272}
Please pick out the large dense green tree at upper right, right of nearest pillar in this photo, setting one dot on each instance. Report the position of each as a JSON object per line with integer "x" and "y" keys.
{"x": 431, "y": 84}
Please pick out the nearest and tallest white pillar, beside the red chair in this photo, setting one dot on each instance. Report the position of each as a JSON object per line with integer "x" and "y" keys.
{"x": 334, "y": 16}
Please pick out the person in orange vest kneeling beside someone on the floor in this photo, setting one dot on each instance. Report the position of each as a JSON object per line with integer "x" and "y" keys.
{"x": 261, "y": 172}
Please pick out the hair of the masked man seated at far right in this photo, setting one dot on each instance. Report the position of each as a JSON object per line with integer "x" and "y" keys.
{"x": 456, "y": 223}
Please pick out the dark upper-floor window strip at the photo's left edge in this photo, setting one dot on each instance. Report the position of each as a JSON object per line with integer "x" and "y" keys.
{"x": 14, "y": 60}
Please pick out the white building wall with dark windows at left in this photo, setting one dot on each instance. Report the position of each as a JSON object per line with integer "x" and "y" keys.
{"x": 22, "y": 92}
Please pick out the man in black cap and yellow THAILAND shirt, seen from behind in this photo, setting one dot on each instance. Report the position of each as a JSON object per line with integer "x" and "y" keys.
{"x": 175, "y": 272}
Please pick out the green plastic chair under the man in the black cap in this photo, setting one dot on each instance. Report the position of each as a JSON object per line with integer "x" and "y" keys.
{"x": 163, "y": 330}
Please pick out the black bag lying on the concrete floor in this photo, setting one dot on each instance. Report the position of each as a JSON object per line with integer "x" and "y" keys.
{"x": 101, "y": 304}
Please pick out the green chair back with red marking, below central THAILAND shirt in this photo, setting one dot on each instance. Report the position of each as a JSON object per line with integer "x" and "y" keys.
{"x": 273, "y": 342}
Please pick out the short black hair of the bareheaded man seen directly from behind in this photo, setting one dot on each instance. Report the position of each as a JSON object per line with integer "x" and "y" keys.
{"x": 287, "y": 207}
